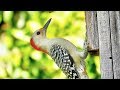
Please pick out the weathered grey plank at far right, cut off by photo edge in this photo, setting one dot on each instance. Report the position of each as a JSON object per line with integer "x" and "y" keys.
{"x": 115, "y": 39}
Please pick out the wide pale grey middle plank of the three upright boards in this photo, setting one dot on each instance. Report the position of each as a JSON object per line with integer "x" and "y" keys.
{"x": 105, "y": 44}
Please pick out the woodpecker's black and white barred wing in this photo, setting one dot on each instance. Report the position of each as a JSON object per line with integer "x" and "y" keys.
{"x": 64, "y": 61}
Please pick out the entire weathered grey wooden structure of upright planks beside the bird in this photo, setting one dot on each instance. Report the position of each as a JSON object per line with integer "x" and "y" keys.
{"x": 104, "y": 30}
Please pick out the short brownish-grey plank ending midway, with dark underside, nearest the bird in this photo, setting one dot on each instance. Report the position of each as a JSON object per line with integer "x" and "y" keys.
{"x": 92, "y": 31}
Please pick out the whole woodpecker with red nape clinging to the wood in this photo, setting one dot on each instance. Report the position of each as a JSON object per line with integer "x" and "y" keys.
{"x": 63, "y": 52}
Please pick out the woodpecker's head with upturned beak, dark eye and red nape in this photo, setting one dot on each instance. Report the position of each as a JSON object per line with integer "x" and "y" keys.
{"x": 39, "y": 36}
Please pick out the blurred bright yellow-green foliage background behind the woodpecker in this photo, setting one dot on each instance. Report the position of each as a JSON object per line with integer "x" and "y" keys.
{"x": 19, "y": 60}
